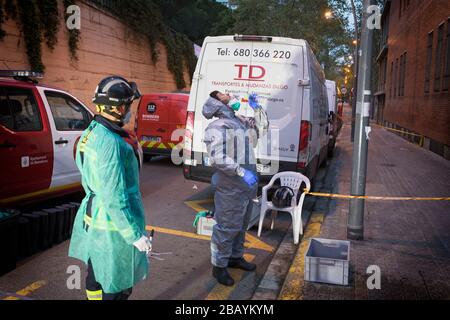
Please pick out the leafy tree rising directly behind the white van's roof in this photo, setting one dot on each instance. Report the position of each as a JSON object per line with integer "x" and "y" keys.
{"x": 301, "y": 19}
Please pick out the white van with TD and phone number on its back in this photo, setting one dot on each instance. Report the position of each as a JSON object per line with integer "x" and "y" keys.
{"x": 290, "y": 84}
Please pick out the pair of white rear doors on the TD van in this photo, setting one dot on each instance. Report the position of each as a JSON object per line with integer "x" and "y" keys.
{"x": 270, "y": 69}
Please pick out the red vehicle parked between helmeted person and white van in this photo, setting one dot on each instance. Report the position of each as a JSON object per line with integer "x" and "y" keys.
{"x": 159, "y": 115}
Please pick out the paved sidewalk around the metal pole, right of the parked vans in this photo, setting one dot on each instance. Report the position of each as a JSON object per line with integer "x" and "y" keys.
{"x": 408, "y": 240}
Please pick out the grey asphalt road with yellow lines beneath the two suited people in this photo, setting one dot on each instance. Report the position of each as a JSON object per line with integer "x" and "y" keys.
{"x": 170, "y": 202}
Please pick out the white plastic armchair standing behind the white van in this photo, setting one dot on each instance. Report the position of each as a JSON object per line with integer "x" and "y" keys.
{"x": 294, "y": 181}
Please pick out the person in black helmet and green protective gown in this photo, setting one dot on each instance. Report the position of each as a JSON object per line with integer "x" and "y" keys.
{"x": 109, "y": 229}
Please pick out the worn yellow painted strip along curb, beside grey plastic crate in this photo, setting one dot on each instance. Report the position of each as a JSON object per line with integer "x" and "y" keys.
{"x": 294, "y": 282}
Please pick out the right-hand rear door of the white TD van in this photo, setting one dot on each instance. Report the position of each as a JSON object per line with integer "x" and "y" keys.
{"x": 281, "y": 95}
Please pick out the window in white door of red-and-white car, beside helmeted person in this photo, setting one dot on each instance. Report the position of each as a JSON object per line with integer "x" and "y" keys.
{"x": 68, "y": 114}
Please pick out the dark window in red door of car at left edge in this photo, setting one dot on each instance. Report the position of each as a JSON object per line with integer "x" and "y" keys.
{"x": 19, "y": 110}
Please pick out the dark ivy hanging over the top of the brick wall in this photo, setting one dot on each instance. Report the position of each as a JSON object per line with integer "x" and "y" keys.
{"x": 141, "y": 16}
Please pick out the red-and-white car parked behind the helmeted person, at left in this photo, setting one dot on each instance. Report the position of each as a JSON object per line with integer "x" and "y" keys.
{"x": 39, "y": 130}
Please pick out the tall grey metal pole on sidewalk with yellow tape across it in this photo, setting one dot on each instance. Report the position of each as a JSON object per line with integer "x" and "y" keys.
{"x": 355, "y": 224}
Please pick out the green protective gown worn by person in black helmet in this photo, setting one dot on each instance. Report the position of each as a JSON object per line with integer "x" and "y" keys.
{"x": 111, "y": 217}
